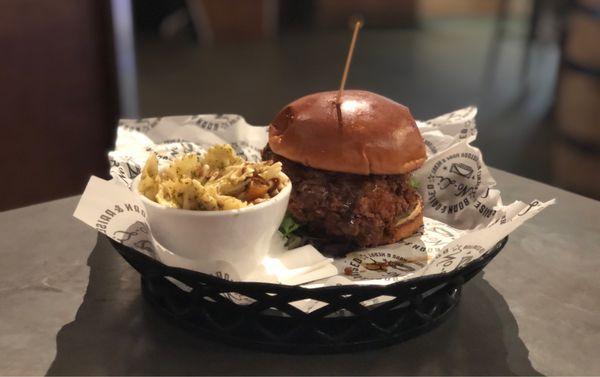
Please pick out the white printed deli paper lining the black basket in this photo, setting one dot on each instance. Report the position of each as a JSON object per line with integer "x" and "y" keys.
{"x": 464, "y": 213}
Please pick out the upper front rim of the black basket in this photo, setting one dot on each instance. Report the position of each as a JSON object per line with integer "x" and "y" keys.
{"x": 129, "y": 253}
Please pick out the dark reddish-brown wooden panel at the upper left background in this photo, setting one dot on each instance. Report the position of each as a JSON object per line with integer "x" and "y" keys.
{"x": 58, "y": 97}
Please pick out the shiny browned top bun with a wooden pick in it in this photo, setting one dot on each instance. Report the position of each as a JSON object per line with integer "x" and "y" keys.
{"x": 366, "y": 134}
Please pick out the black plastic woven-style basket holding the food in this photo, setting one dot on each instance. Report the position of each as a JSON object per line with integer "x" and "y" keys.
{"x": 211, "y": 307}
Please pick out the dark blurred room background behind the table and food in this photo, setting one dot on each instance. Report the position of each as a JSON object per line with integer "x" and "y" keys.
{"x": 70, "y": 68}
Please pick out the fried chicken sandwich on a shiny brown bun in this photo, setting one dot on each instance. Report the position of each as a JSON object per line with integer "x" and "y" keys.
{"x": 350, "y": 162}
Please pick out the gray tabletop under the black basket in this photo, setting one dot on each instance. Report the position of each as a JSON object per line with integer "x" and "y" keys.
{"x": 70, "y": 305}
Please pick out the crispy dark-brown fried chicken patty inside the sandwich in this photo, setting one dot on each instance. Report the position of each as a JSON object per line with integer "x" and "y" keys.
{"x": 361, "y": 208}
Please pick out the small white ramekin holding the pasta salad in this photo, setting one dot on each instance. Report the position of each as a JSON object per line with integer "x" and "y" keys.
{"x": 231, "y": 242}
